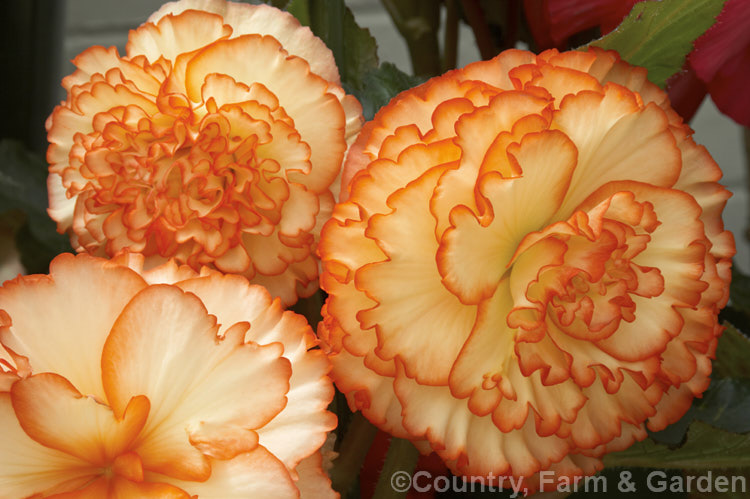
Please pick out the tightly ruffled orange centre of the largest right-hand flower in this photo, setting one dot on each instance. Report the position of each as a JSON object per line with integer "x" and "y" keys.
{"x": 588, "y": 283}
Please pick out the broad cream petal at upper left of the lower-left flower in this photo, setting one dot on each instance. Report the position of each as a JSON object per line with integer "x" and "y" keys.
{"x": 68, "y": 337}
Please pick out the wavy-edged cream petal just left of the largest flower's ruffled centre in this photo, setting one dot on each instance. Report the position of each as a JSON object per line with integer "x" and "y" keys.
{"x": 474, "y": 254}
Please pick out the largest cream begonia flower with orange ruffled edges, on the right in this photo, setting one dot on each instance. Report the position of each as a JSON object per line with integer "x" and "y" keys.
{"x": 527, "y": 268}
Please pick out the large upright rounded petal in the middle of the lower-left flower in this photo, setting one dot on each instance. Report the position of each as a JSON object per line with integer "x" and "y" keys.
{"x": 207, "y": 397}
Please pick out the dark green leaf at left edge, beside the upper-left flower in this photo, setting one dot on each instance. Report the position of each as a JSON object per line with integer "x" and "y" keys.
{"x": 23, "y": 187}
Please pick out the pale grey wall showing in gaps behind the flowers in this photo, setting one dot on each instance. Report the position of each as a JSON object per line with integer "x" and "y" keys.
{"x": 106, "y": 22}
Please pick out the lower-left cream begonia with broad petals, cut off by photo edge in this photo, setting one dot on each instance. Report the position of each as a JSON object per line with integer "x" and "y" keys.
{"x": 166, "y": 383}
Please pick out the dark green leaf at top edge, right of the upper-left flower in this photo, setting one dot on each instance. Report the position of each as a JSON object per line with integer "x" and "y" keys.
{"x": 354, "y": 49}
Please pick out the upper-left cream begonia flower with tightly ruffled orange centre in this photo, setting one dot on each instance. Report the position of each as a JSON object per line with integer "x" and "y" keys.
{"x": 214, "y": 140}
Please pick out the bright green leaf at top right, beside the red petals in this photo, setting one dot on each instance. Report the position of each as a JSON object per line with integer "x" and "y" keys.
{"x": 658, "y": 35}
